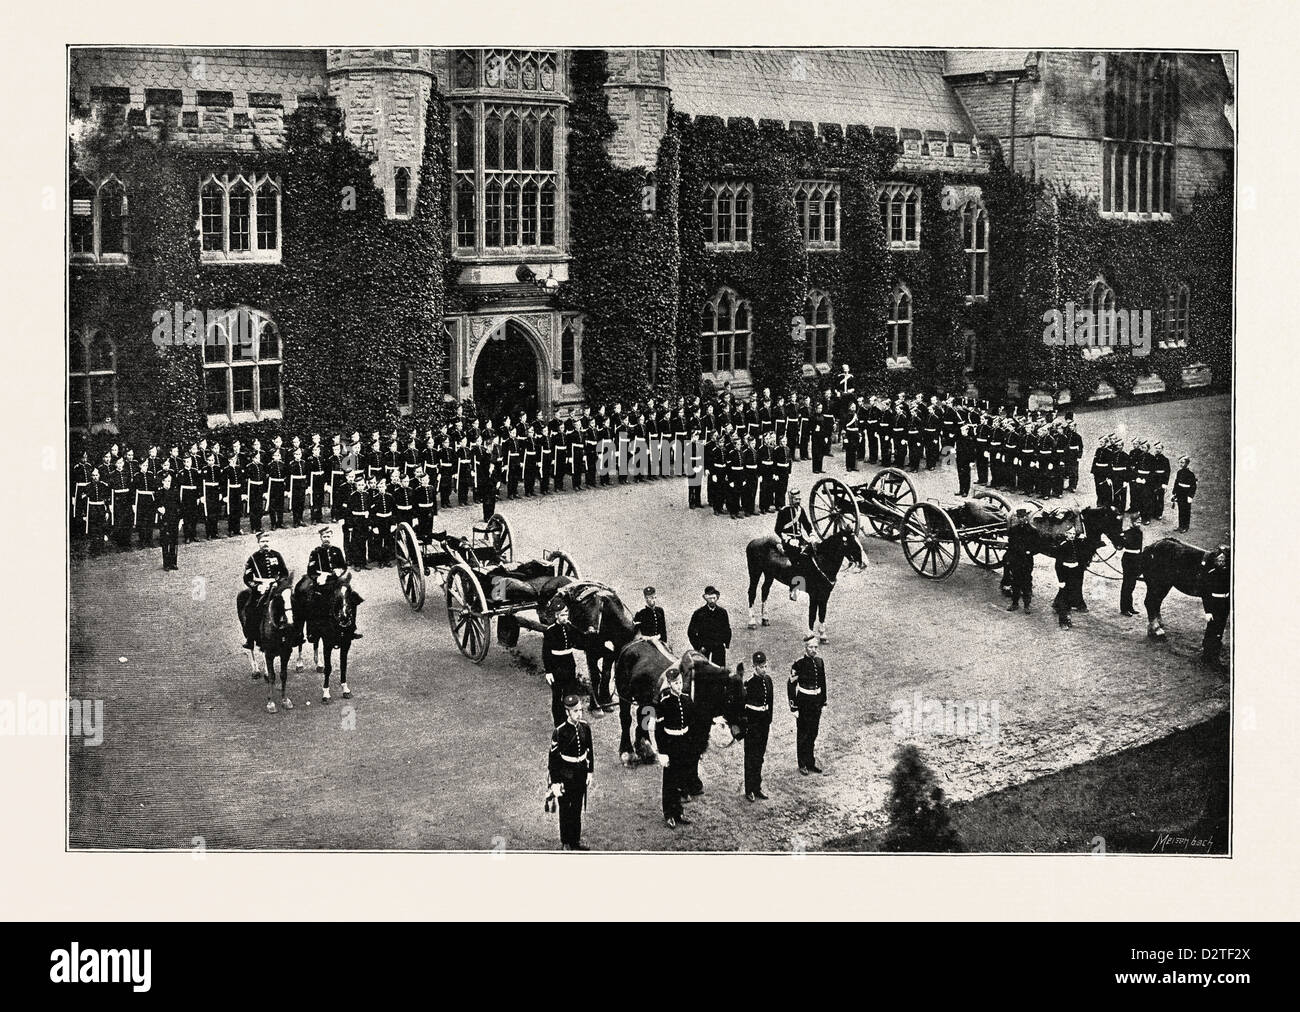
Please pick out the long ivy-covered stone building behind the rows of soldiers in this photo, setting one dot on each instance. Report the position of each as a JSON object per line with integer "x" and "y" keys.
{"x": 352, "y": 239}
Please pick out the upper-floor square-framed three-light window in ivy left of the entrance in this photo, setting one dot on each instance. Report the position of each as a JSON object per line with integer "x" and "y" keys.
{"x": 240, "y": 219}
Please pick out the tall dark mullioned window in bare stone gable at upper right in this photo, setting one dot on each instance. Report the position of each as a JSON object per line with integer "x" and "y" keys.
{"x": 1138, "y": 149}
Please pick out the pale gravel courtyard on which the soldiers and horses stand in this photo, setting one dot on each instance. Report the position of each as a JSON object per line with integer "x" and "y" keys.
{"x": 439, "y": 754}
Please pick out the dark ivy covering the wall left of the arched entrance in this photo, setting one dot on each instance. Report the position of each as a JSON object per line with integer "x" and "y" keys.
{"x": 354, "y": 296}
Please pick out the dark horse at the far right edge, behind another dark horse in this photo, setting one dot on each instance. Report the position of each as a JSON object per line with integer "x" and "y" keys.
{"x": 1171, "y": 564}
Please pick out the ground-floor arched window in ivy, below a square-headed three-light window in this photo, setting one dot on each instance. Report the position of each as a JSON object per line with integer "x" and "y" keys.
{"x": 242, "y": 366}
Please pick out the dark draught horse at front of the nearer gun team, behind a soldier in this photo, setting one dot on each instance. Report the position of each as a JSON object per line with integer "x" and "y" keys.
{"x": 640, "y": 678}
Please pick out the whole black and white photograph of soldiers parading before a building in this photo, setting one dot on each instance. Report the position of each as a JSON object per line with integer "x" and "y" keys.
{"x": 735, "y": 451}
